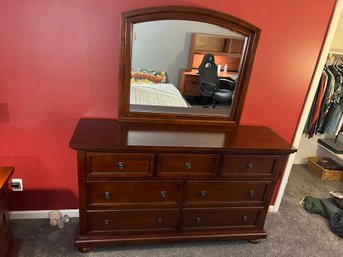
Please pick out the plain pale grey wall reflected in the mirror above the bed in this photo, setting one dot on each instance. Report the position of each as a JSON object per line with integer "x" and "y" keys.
{"x": 165, "y": 46}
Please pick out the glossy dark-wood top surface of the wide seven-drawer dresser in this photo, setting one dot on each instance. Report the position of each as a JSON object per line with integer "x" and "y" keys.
{"x": 109, "y": 134}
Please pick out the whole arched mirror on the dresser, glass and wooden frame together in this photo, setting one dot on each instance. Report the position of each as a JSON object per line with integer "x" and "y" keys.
{"x": 168, "y": 52}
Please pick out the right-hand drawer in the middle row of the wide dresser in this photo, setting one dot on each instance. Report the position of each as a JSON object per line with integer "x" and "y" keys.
{"x": 213, "y": 192}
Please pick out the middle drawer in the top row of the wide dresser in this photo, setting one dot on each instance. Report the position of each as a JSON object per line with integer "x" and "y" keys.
{"x": 183, "y": 165}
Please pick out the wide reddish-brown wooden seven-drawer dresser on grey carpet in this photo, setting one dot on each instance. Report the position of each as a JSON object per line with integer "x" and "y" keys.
{"x": 166, "y": 183}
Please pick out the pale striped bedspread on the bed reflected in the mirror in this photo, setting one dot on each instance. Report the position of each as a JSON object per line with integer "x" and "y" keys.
{"x": 160, "y": 94}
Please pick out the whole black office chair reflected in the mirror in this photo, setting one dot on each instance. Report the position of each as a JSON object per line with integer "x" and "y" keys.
{"x": 218, "y": 91}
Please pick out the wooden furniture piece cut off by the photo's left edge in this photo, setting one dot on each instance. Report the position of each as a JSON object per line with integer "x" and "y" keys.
{"x": 8, "y": 244}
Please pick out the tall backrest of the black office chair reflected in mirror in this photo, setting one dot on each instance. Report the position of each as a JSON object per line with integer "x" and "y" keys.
{"x": 208, "y": 70}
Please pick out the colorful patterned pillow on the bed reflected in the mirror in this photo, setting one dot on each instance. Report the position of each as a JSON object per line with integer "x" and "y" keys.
{"x": 146, "y": 76}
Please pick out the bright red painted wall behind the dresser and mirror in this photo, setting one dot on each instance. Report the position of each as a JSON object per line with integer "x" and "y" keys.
{"x": 59, "y": 62}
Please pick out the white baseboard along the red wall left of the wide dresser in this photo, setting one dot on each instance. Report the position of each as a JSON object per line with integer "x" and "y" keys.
{"x": 42, "y": 214}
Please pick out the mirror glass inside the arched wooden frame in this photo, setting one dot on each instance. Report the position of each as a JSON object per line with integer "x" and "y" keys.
{"x": 165, "y": 74}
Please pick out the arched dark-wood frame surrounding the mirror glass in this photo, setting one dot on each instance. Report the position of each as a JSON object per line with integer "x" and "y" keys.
{"x": 192, "y": 14}
